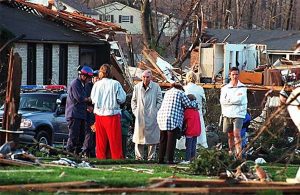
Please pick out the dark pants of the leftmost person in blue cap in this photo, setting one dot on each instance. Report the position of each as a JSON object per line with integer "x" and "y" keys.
{"x": 76, "y": 135}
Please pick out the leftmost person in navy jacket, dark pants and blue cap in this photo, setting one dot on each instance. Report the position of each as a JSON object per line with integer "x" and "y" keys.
{"x": 76, "y": 109}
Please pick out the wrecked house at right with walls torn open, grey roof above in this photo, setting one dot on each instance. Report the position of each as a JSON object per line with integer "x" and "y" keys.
{"x": 254, "y": 52}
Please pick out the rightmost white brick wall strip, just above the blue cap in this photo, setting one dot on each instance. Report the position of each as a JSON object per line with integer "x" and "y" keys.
{"x": 73, "y": 62}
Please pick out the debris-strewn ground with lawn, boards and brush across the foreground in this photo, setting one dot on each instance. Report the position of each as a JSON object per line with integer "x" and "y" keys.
{"x": 52, "y": 169}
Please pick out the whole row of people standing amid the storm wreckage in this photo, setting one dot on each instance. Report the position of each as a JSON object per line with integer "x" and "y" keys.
{"x": 158, "y": 120}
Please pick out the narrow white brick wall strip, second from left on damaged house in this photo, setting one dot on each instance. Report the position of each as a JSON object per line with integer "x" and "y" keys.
{"x": 39, "y": 64}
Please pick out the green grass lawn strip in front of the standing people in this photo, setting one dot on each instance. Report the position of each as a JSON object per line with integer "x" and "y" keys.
{"x": 114, "y": 174}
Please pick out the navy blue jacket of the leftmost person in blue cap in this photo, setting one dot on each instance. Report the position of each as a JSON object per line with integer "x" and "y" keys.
{"x": 75, "y": 106}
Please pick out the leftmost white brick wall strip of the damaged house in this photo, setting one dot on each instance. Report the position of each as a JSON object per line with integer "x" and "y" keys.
{"x": 21, "y": 49}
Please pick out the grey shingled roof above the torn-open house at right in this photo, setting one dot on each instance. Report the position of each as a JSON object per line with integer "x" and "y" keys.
{"x": 274, "y": 39}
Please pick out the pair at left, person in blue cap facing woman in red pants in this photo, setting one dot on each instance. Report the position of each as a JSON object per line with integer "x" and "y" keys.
{"x": 105, "y": 95}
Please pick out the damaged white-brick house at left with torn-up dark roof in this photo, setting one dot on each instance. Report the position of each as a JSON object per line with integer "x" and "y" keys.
{"x": 55, "y": 42}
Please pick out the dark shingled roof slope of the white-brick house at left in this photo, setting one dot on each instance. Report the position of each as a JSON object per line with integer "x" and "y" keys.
{"x": 38, "y": 29}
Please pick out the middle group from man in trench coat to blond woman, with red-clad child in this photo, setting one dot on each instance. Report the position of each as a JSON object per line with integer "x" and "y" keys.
{"x": 160, "y": 120}
